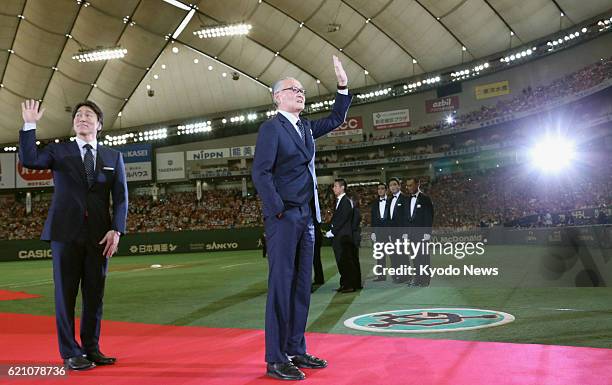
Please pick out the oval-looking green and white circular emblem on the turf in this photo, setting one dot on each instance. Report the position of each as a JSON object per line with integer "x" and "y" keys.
{"x": 428, "y": 320}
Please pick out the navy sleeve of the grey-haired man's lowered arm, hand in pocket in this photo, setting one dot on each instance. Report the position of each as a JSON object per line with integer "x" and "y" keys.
{"x": 264, "y": 162}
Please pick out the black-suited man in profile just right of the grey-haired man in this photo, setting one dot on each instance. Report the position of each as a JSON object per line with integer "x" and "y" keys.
{"x": 341, "y": 230}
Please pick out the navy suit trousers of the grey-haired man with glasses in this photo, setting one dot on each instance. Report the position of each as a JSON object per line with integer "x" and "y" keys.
{"x": 290, "y": 243}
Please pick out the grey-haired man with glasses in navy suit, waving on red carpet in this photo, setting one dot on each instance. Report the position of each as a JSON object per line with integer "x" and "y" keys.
{"x": 284, "y": 176}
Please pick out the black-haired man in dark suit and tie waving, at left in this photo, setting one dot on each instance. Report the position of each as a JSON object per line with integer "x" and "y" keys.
{"x": 82, "y": 233}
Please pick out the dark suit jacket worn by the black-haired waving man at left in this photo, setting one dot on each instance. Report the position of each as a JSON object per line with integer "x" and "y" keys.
{"x": 73, "y": 199}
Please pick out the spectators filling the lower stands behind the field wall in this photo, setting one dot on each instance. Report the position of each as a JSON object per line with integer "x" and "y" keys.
{"x": 486, "y": 198}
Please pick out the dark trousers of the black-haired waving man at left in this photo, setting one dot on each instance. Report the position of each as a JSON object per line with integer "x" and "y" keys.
{"x": 79, "y": 262}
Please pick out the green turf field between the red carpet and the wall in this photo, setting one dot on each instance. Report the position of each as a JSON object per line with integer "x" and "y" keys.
{"x": 228, "y": 289}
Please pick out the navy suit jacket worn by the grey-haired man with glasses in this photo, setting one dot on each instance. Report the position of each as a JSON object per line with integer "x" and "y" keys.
{"x": 280, "y": 166}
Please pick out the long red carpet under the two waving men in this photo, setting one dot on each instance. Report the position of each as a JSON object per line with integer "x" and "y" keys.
{"x": 170, "y": 355}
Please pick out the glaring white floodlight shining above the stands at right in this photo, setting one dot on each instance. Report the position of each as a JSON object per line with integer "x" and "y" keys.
{"x": 553, "y": 154}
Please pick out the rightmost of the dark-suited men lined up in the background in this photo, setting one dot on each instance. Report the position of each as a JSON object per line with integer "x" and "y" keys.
{"x": 420, "y": 219}
